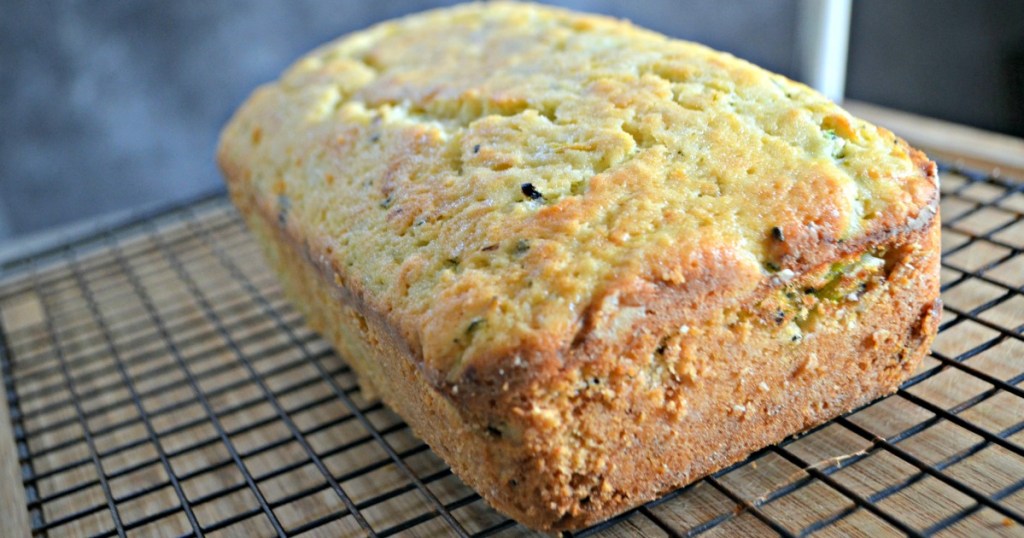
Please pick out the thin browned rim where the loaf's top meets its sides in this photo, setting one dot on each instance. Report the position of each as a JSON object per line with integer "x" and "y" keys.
{"x": 699, "y": 293}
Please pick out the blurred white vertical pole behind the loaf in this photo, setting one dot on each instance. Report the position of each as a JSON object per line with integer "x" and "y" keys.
{"x": 825, "y": 40}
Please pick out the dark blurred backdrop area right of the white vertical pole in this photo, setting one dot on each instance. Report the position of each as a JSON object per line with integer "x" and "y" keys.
{"x": 962, "y": 61}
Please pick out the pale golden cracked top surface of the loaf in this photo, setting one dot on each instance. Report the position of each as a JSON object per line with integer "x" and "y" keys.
{"x": 496, "y": 180}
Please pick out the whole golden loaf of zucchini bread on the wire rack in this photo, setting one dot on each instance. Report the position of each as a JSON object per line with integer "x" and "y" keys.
{"x": 586, "y": 263}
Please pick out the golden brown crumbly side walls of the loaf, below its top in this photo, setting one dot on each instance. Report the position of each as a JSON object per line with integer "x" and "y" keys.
{"x": 645, "y": 416}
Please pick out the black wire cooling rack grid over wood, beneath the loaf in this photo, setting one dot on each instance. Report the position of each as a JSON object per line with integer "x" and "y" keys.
{"x": 159, "y": 385}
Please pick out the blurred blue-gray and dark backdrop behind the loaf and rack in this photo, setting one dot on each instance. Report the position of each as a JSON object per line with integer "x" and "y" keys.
{"x": 109, "y": 107}
